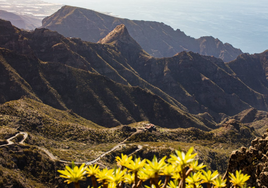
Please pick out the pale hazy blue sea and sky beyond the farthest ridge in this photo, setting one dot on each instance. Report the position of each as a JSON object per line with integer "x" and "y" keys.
{"x": 243, "y": 23}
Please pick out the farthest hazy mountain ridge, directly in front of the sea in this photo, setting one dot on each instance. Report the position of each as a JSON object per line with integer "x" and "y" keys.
{"x": 158, "y": 39}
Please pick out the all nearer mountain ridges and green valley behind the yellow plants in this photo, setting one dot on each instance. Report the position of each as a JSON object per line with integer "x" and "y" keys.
{"x": 79, "y": 100}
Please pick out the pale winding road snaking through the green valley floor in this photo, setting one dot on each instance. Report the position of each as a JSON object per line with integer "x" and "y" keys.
{"x": 54, "y": 158}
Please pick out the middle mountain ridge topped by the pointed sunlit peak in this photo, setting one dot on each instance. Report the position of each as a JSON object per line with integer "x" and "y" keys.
{"x": 197, "y": 84}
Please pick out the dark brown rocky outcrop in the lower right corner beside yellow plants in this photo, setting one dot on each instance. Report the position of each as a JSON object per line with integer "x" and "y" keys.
{"x": 252, "y": 161}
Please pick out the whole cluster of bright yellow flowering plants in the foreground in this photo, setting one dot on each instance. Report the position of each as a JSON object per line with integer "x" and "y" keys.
{"x": 181, "y": 170}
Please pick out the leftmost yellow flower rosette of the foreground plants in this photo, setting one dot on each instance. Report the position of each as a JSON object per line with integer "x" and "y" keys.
{"x": 73, "y": 174}
